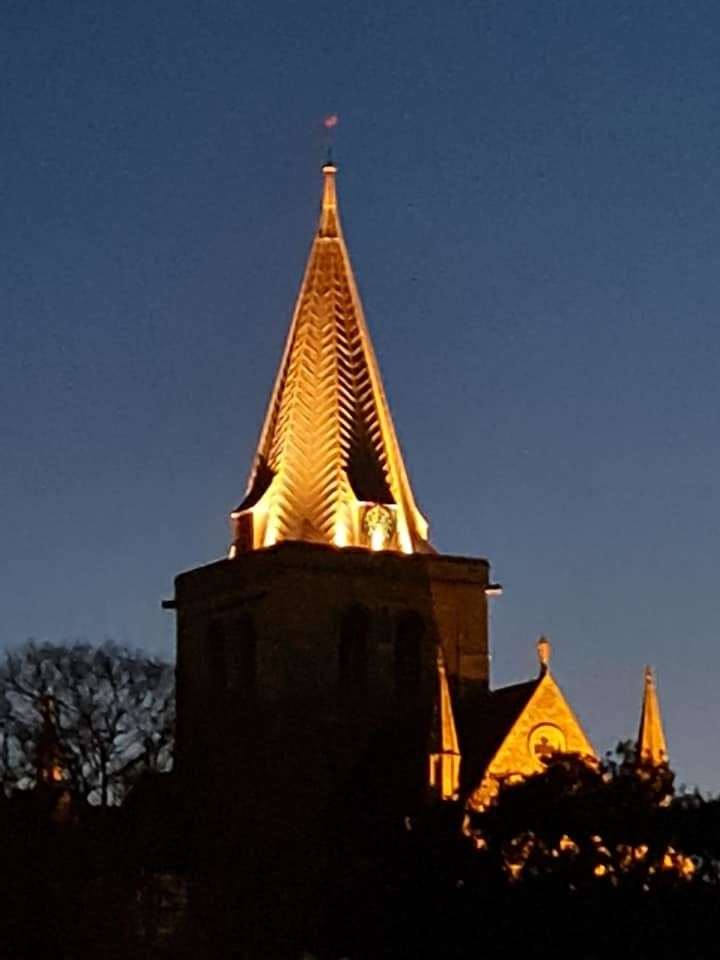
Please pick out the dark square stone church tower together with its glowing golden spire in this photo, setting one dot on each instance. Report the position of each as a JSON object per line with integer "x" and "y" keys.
{"x": 323, "y": 623}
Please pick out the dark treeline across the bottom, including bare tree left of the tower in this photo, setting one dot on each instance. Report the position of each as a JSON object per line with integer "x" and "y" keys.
{"x": 102, "y": 857}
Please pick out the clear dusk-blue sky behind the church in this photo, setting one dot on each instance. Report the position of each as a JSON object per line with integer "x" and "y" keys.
{"x": 530, "y": 194}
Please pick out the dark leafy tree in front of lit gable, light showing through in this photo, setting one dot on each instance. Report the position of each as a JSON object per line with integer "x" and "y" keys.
{"x": 582, "y": 823}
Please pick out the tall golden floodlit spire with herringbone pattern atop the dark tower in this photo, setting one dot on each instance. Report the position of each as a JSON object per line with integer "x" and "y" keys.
{"x": 328, "y": 466}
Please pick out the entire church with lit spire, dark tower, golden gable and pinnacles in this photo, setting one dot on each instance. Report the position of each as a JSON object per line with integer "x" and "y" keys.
{"x": 333, "y": 670}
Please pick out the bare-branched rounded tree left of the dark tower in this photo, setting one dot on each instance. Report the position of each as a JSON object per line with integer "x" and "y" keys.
{"x": 109, "y": 711}
